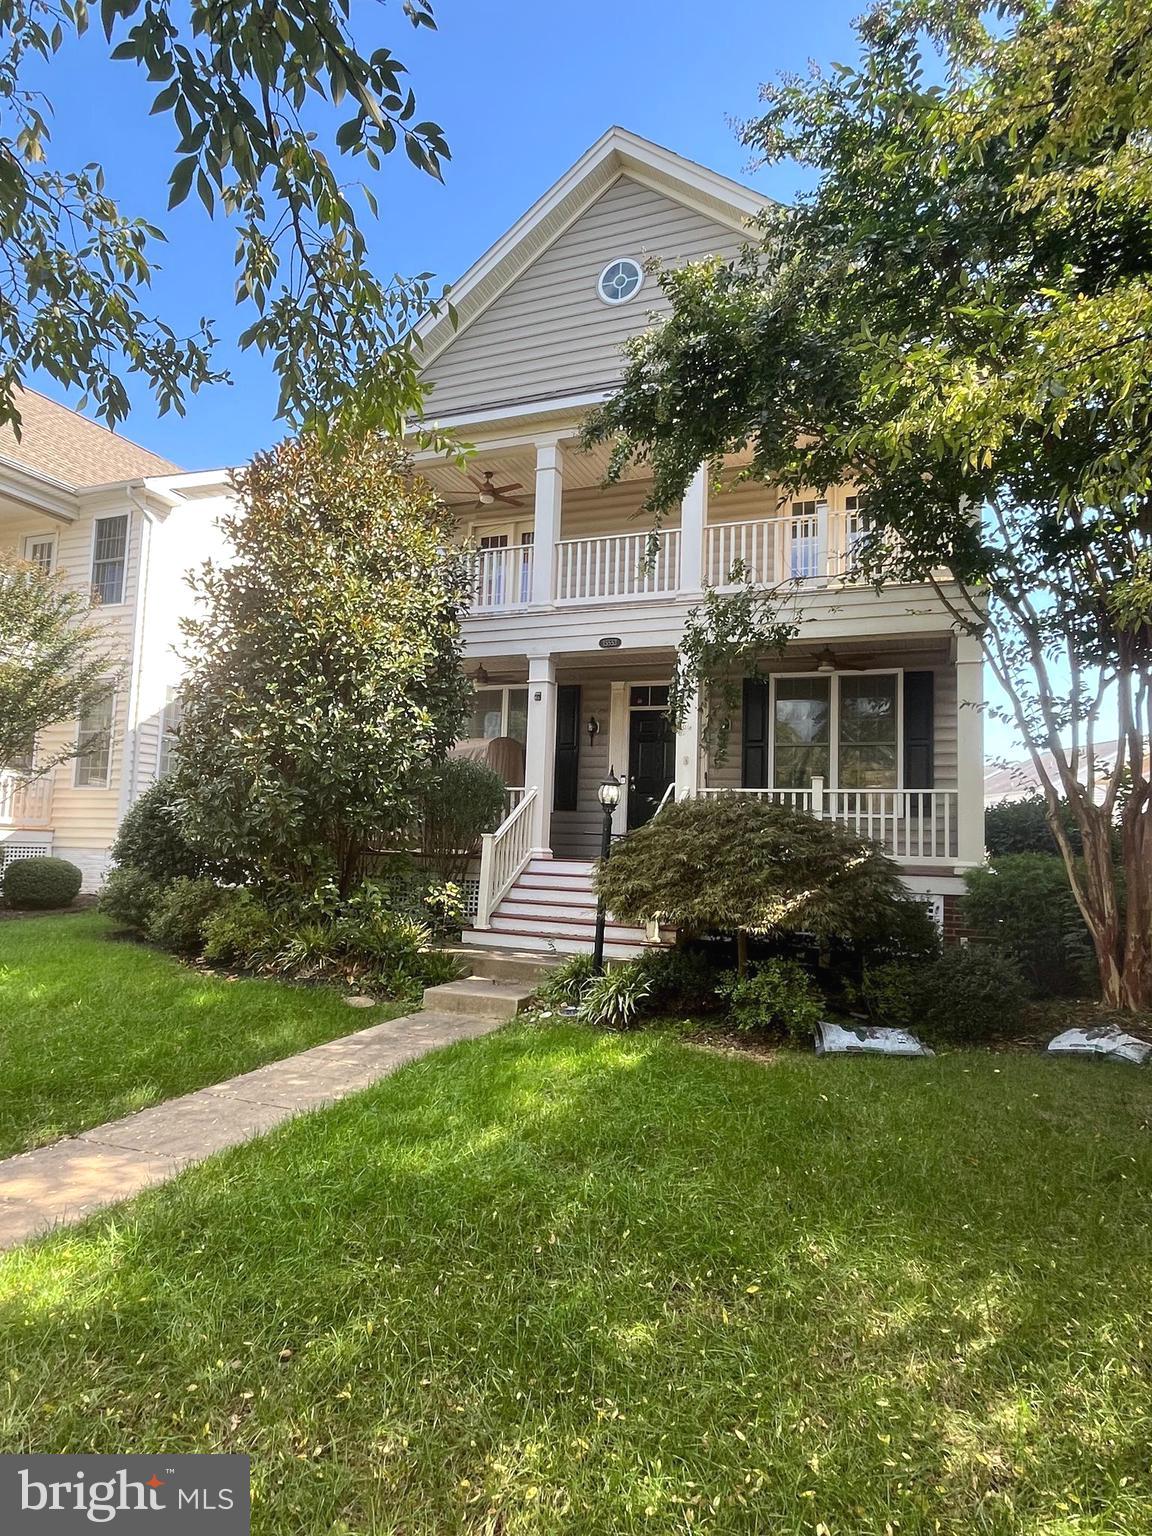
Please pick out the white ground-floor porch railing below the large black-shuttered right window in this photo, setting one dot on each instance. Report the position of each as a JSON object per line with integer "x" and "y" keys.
{"x": 913, "y": 826}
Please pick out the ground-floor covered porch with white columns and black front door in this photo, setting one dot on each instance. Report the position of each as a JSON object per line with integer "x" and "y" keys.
{"x": 882, "y": 738}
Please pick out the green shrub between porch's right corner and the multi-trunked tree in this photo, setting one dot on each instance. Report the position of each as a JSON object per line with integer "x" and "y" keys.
{"x": 1025, "y": 905}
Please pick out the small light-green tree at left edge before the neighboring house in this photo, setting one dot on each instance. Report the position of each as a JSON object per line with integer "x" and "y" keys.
{"x": 53, "y": 663}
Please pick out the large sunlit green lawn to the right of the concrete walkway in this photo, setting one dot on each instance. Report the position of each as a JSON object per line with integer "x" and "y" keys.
{"x": 557, "y": 1282}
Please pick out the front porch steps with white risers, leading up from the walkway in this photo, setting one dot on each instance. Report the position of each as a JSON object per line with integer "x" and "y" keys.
{"x": 552, "y": 912}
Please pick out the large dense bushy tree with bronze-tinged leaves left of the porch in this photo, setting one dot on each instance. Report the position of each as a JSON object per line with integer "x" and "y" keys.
{"x": 325, "y": 680}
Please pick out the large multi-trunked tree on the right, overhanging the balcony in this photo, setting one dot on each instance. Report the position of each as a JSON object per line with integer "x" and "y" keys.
{"x": 959, "y": 319}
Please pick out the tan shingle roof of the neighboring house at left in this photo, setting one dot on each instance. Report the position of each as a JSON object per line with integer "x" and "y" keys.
{"x": 70, "y": 448}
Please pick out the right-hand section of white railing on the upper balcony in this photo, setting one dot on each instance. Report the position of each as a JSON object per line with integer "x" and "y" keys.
{"x": 815, "y": 549}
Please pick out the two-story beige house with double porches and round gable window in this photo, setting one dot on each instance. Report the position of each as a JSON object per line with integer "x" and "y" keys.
{"x": 875, "y": 717}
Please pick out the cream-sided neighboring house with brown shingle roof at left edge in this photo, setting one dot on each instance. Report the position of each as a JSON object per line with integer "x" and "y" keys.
{"x": 125, "y": 526}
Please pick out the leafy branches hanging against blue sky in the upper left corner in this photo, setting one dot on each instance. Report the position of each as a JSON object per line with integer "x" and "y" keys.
{"x": 270, "y": 110}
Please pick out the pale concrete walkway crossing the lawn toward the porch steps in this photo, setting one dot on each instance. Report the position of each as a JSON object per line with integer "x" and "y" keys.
{"x": 64, "y": 1183}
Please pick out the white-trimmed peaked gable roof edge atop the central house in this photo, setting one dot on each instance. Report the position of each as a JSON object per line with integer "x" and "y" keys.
{"x": 615, "y": 154}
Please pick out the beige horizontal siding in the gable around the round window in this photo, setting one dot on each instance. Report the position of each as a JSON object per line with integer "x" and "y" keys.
{"x": 549, "y": 334}
